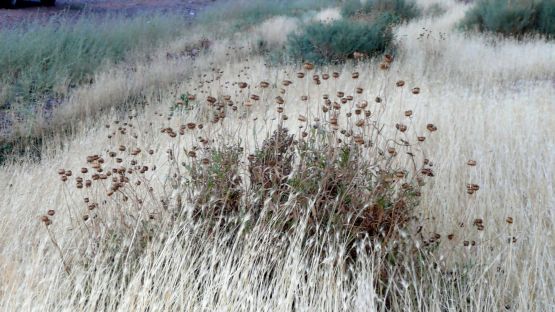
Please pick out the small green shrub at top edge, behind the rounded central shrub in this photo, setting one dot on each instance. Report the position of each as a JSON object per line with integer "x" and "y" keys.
{"x": 403, "y": 9}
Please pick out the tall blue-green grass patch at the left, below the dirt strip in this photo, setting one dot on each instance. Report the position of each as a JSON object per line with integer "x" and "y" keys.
{"x": 46, "y": 60}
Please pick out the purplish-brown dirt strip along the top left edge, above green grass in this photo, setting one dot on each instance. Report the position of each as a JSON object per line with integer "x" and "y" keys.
{"x": 32, "y": 10}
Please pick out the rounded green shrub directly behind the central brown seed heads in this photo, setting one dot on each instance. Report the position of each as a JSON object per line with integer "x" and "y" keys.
{"x": 336, "y": 42}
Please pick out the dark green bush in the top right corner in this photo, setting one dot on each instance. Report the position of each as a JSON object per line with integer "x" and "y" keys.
{"x": 514, "y": 18}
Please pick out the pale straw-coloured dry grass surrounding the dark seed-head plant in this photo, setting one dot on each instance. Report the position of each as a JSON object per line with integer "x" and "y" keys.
{"x": 495, "y": 248}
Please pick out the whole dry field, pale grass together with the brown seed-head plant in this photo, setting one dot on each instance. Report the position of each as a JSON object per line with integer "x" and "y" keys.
{"x": 419, "y": 182}
